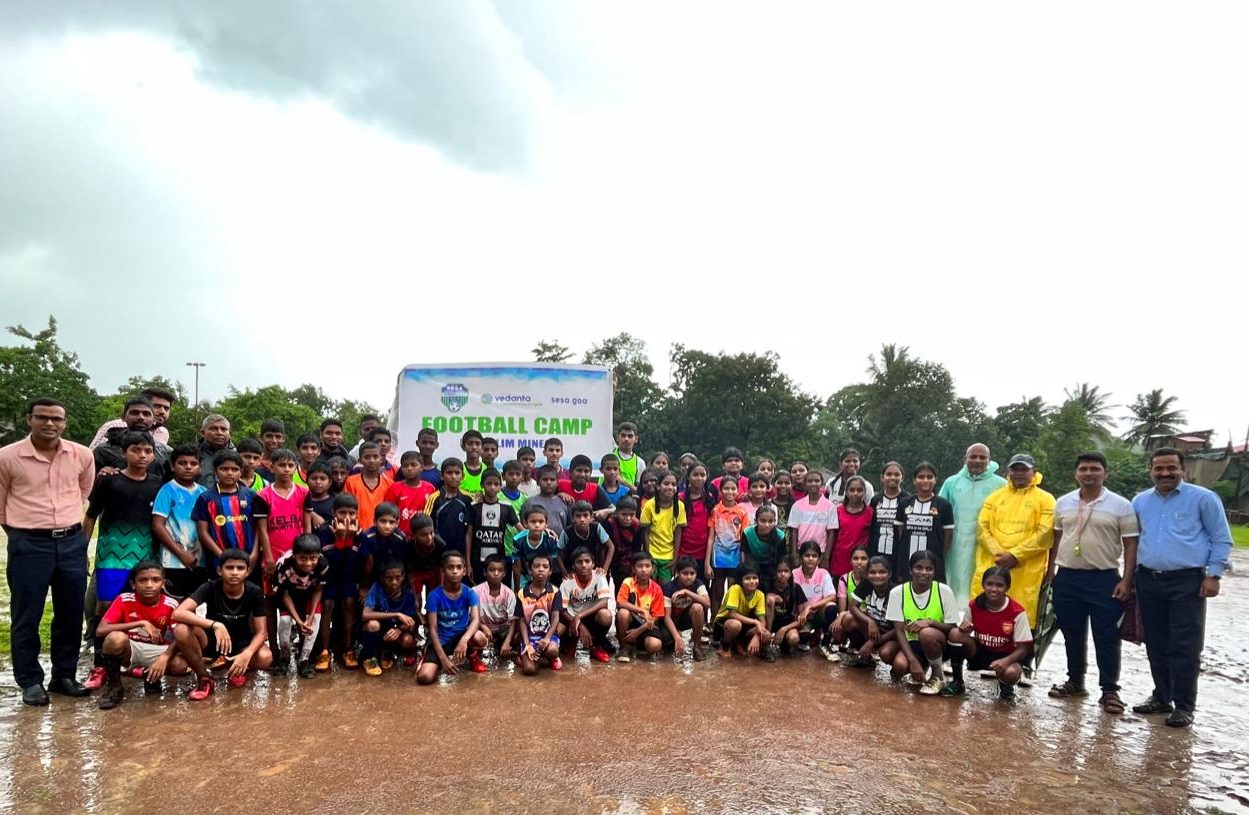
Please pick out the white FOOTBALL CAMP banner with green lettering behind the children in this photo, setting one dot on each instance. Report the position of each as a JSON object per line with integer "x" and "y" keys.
{"x": 520, "y": 405}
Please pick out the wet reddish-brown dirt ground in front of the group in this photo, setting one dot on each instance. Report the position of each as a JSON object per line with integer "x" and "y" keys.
{"x": 799, "y": 737}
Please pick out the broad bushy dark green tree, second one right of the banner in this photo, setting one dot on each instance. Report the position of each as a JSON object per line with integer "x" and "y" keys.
{"x": 731, "y": 400}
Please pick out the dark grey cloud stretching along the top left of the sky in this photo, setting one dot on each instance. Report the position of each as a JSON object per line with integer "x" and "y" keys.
{"x": 449, "y": 74}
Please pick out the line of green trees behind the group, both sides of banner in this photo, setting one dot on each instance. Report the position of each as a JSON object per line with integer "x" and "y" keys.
{"x": 905, "y": 410}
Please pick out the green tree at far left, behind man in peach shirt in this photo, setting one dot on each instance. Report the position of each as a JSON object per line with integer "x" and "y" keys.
{"x": 44, "y": 369}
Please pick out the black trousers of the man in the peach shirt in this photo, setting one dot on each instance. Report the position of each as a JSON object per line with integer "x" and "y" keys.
{"x": 36, "y": 565}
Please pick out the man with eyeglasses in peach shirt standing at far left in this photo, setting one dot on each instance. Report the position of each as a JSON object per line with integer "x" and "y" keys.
{"x": 44, "y": 484}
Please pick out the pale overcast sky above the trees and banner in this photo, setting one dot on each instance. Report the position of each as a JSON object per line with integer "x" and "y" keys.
{"x": 324, "y": 193}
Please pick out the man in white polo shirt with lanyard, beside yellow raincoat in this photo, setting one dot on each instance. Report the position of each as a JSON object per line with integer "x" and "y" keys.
{"x": 1095, "y": 529}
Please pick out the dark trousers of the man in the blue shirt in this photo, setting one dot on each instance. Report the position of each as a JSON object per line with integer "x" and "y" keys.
{"x": 1173, "y": 615}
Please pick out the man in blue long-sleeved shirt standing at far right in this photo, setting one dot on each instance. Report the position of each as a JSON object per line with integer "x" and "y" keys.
{"x": 1185, "y": 547}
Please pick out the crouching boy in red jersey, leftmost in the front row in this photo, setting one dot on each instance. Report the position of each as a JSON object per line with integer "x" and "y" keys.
{"x": 137, "y": 632}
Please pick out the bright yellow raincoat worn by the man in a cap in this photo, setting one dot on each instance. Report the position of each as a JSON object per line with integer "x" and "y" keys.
{"x": 1020, "y": 522}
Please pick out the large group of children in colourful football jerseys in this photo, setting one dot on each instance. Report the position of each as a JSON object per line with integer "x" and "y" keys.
{"x": 279, "y": 557}
